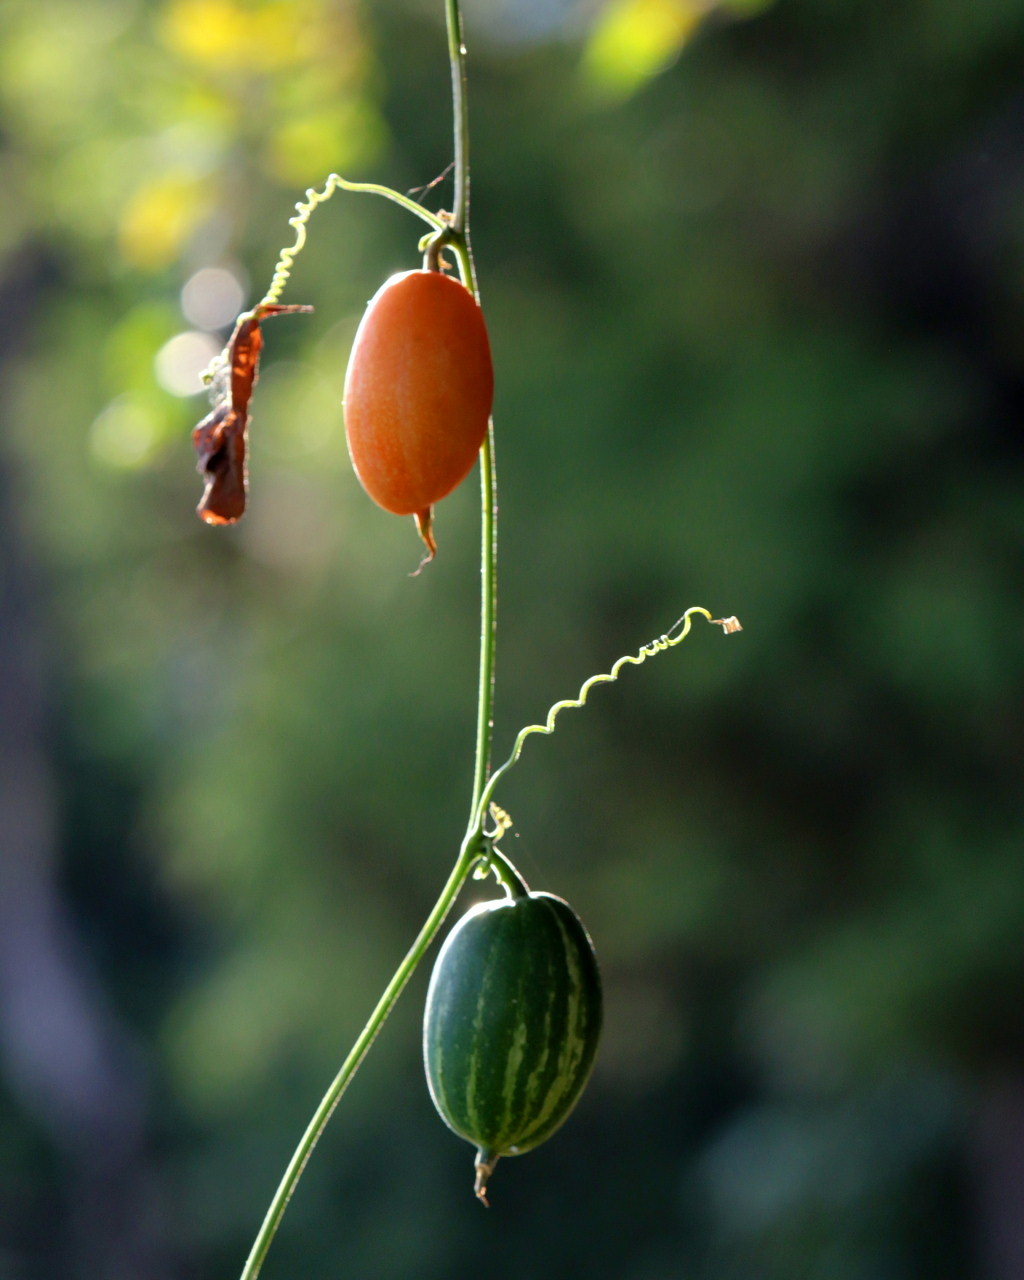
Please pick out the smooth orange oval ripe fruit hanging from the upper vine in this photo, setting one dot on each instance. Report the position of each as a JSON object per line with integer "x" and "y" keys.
{"x": 419, "y": 392}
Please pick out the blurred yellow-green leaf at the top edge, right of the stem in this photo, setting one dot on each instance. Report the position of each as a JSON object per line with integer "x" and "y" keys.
{"x": 637, "y": 39}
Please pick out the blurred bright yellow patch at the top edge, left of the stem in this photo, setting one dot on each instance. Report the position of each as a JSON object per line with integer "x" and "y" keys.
{"x": 241, "y": 38}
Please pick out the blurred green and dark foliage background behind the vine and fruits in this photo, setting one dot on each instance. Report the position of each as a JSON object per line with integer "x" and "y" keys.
{"x": 755, "y": 278}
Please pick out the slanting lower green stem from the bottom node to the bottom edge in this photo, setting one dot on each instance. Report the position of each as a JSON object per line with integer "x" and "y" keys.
{"x": 472, "y": 852}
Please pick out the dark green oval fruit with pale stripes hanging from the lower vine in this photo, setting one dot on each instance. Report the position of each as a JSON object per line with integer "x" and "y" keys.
{"x": 513, "y": 1023}
